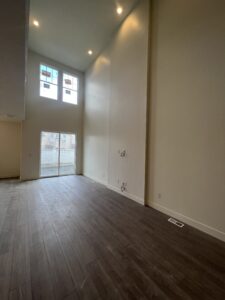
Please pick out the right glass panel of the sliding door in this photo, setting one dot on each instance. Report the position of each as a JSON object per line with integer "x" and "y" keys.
{"x": 67, "y": 154}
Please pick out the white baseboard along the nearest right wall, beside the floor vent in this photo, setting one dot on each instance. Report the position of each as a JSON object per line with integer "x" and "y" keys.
{"x": 203, "y": 227}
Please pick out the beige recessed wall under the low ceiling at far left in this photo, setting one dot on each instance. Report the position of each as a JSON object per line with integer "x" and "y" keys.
{"x": 10, "y": 137}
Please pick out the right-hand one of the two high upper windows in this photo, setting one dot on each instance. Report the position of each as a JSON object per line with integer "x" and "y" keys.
{"x": 70, "y": 89}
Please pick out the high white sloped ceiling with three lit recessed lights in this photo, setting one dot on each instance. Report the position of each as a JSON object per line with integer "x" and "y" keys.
{"x": 68, "y": 28}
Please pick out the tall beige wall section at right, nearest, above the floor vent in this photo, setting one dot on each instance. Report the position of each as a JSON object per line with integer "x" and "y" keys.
{"x": 187, "y": 177}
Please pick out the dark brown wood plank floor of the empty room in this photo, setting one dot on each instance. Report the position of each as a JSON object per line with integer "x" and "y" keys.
{"x": 70, "y": 238}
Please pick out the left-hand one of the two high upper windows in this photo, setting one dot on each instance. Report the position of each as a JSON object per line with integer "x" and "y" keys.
{"x": 48, "y": 82}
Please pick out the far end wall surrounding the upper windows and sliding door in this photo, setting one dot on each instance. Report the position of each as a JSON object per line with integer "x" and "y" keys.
{"x": 44, "y": 114}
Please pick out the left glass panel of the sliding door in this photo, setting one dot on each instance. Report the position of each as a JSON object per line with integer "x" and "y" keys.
{"x": 49, "y": 154}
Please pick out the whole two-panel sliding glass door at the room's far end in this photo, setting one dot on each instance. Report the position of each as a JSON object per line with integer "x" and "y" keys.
{"x": 58, "y": 154}
